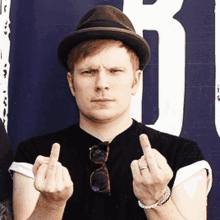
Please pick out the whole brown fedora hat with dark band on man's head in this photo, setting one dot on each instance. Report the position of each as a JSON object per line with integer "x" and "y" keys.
{"x": 105, "y": 22}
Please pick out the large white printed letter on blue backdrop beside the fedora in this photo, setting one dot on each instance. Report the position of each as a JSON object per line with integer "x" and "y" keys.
{"x": 171, "y": 60}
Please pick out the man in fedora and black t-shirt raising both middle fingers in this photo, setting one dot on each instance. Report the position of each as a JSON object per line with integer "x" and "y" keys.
{"x": 108, "y": 166}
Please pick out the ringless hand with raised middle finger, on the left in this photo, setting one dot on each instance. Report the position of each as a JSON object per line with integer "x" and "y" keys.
{"x": 52, "y": 180}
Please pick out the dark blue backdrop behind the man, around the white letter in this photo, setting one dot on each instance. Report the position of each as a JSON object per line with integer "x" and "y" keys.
{"x": 39, "y": 98}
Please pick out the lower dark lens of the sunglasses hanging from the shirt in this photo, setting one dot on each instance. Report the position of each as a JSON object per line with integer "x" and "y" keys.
{"x": 99, "y": 181}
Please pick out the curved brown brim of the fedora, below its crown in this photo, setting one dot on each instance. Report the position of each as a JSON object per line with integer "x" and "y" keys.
{"x": 130, "y": 38}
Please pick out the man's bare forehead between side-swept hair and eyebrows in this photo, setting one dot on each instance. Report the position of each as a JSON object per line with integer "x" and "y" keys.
{"x": 109, "y": 56}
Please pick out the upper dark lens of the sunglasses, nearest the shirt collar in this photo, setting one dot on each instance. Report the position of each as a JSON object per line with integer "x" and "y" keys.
{"x": 98, "y": 153}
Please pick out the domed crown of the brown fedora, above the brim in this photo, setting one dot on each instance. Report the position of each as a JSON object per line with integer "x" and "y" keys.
{"x": 105, "y": 16}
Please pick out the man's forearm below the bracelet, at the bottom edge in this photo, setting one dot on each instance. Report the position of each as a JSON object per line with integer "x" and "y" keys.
{"x": 167, "y": 211}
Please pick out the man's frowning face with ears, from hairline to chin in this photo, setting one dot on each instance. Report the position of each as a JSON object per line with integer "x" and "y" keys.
{"x": 103, "y": 84}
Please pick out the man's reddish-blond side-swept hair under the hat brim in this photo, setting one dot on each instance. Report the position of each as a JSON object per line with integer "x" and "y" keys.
{"x": 93, "y": 47}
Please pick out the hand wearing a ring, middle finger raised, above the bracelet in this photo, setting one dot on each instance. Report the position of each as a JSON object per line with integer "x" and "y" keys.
{"x": 151, "y": 174}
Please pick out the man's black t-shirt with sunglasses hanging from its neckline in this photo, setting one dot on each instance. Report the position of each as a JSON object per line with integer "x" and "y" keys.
{"x": 74, "y": 154}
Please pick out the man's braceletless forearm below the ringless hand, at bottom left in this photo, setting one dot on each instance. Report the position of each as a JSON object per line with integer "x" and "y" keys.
{"x": 44, "y": 210}
